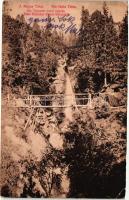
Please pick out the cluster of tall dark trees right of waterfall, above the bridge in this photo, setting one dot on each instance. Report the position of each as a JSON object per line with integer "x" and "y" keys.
{"x": 97, "y": 39}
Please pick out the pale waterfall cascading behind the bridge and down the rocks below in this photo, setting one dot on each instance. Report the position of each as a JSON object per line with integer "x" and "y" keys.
{"x": 63, "y": 87}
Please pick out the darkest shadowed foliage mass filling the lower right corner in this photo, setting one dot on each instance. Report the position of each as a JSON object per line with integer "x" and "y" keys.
{"x": 91, "y": 166}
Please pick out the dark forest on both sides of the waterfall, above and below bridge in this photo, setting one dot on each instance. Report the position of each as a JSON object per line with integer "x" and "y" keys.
{"x": 94, "y": 143}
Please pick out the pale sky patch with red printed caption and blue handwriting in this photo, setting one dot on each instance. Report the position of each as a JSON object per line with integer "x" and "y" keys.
{"x": 59, "y": 19}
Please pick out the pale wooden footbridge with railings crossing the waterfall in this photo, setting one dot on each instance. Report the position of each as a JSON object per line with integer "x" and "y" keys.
{"x": 50, "y": 101}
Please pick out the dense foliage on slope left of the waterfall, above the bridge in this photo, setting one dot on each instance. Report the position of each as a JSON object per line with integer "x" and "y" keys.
{"x": 32, "y": 56}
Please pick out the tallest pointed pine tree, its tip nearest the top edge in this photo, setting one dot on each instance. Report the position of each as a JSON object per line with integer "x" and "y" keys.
{"x": 107, "y": 47}
